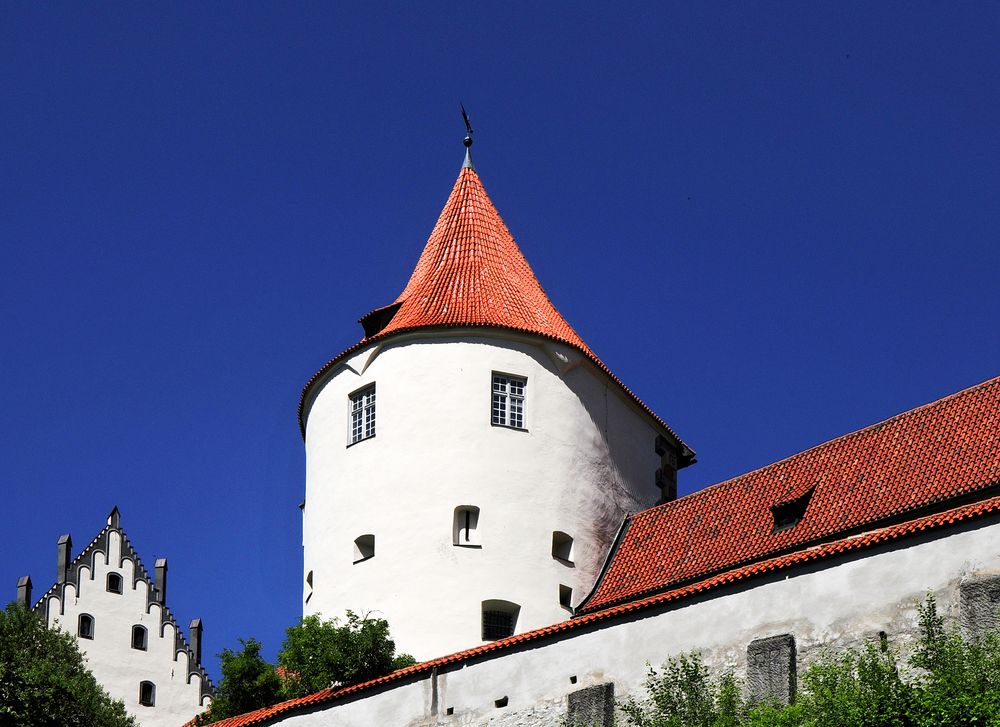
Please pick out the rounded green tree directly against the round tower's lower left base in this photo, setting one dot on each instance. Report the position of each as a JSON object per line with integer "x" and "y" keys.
{"x": 321, "y": 653}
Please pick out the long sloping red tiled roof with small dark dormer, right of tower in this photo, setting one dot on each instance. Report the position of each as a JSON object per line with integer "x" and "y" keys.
{"x": 932, "y": 457}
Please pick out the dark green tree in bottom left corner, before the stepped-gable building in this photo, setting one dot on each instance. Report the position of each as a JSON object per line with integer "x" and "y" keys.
{"x": 44, "y": 680}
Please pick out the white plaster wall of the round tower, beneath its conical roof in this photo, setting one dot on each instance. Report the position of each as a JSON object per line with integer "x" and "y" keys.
{"x": 586, "y": 460}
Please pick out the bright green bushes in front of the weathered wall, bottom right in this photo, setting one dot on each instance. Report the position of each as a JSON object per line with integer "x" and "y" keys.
{"x": 957, "y": 683}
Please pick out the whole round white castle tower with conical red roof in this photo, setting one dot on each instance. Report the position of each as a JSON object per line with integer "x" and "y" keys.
{"x": 470, "y": 461}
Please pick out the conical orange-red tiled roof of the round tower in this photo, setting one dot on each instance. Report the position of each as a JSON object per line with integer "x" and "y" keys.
{"x": 472, "y": 273}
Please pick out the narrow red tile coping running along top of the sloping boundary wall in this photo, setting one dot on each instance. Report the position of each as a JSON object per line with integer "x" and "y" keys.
{"x": 806, "y": 555}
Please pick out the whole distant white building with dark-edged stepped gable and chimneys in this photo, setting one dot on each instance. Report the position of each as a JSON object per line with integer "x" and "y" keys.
{"x": 133, "y": 644}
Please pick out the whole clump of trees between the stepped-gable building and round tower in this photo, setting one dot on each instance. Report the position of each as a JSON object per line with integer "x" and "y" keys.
{"x": 316, "y": 654}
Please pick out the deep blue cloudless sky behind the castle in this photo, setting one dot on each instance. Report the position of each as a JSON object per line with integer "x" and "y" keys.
{"x": 776, "y": 222}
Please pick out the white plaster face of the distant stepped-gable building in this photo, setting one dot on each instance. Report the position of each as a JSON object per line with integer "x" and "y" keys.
{"x": 115, "y": 664}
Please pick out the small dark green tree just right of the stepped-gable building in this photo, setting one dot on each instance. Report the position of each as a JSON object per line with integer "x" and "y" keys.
{"x": 248, "y": 683}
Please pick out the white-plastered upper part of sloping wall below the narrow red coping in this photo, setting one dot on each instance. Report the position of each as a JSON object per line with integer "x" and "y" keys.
{"x": 838, "y": 604}
